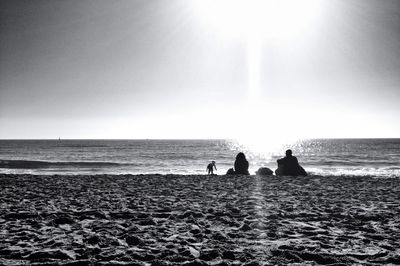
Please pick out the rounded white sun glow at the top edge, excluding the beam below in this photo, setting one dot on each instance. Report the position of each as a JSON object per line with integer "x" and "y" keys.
{"x": 271, "y": 20}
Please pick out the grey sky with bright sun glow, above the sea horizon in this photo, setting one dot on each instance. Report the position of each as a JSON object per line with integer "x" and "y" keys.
{"x": 199, "y": 69}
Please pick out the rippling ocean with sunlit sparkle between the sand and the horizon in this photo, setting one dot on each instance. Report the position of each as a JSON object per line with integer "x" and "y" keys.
{"x": 350, "y": 157}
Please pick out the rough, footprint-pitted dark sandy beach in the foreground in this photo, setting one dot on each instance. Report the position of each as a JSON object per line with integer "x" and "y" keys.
{"x": 198, "y": 220}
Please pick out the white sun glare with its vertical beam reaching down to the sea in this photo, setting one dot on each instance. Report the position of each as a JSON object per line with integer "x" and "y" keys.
{"x": 260, "y": 23}
